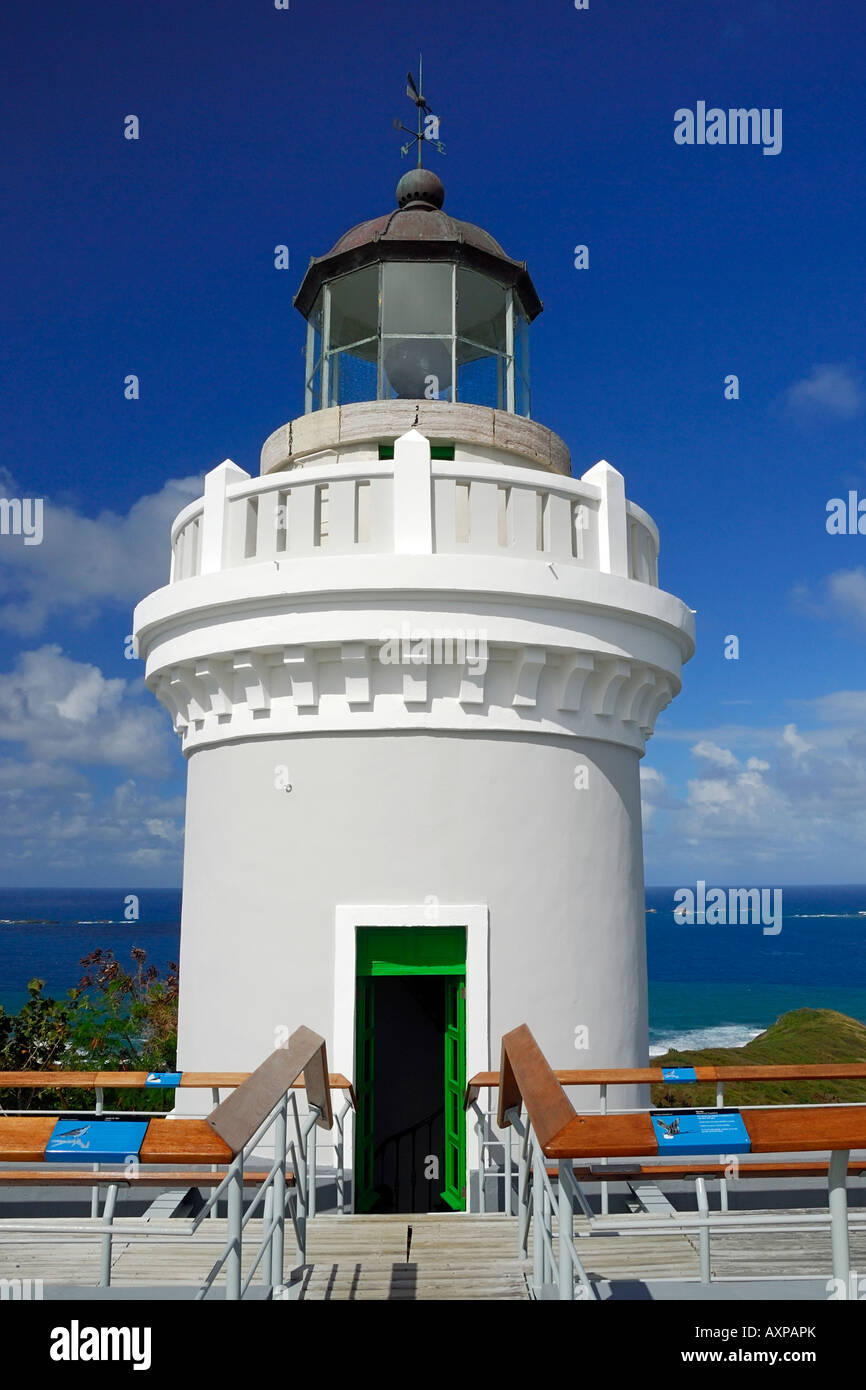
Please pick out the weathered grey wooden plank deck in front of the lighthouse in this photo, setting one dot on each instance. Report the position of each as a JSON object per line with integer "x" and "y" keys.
{"x": 452, "y": 1257}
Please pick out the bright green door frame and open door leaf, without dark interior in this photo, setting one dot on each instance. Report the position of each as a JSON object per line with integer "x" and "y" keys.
{"x": 394, "y": 951}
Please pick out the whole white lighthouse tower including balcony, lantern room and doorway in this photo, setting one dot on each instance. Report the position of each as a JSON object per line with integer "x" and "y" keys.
{"x": 414, "y": 667}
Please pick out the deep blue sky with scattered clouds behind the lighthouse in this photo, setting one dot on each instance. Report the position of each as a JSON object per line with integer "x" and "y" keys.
{"x": 263, "y": 127}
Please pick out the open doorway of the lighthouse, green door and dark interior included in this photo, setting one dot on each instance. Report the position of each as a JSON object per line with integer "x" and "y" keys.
{"x": 411, "y": 1070}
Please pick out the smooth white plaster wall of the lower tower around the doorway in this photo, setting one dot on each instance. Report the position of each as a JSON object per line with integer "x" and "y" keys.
{"x": 395, "y": 819}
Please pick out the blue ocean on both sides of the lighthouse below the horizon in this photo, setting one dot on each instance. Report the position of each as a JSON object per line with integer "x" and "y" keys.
{"x": 708, "y": 986}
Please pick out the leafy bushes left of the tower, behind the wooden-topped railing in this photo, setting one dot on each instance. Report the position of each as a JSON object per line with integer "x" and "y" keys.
{"x": 119, "y": 1020}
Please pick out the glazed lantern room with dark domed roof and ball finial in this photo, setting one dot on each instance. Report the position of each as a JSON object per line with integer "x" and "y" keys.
{"x": 418, "y": 306}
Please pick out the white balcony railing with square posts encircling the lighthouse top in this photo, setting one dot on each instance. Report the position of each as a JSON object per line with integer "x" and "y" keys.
{"x": 415, "y": 507}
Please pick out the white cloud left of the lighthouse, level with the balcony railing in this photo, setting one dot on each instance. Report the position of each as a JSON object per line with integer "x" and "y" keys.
{"x": 88, "y": 564}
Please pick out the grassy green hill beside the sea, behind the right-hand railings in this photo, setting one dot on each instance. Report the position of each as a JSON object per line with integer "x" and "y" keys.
{"x": 797, "y": 1039}
